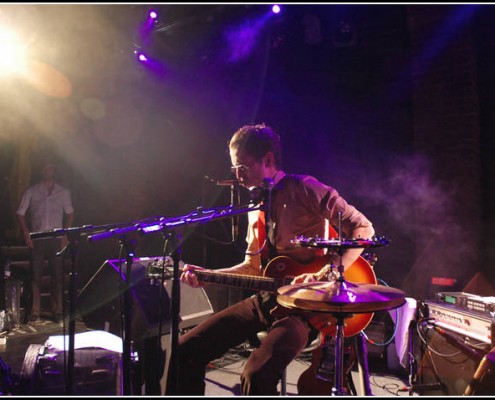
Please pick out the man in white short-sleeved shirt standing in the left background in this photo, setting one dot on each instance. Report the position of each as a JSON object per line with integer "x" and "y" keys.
{"x": 44, "y": 206}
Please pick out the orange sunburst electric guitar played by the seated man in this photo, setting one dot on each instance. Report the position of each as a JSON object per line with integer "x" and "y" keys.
{"x": 279, "y": 272}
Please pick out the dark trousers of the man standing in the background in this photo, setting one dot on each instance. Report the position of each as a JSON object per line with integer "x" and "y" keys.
{"x": 46, "y": 249}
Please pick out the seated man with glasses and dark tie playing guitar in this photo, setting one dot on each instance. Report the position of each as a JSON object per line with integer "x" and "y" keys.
{"x": 301, "y": 206}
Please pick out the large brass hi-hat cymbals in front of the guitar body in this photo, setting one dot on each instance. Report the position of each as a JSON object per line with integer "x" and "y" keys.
{"x": 340, "y": 297}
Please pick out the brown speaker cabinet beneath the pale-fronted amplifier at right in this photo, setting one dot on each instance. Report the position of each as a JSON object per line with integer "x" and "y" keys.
{"x": 455, "y": 368}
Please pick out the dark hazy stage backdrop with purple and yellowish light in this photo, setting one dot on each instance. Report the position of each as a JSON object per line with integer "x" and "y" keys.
{"x": 390, "y": 104}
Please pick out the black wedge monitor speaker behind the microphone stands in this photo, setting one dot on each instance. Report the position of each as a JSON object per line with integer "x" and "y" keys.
{"x": 99, "y": 301}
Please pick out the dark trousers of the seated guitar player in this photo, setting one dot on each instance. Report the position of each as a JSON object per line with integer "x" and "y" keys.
{"x": 229, "y": 328}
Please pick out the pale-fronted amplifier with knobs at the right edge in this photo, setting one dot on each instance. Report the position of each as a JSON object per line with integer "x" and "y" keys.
{"x": 473, "y": 324}
